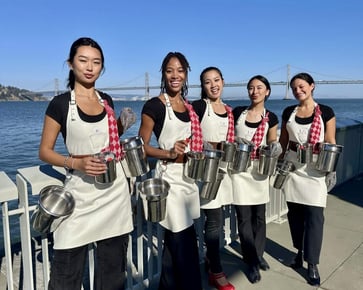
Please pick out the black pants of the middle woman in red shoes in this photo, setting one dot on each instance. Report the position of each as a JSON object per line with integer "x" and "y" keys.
{"x": 213, "y": 229}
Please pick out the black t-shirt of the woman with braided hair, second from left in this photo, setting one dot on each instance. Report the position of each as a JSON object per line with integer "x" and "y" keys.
{"x": 156, "y": 110}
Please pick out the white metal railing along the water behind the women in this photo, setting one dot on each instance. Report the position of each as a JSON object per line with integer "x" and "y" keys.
{"x": 144, "y": 252}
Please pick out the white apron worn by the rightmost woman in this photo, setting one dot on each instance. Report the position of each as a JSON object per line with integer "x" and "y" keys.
{"x": 305, "y": 185}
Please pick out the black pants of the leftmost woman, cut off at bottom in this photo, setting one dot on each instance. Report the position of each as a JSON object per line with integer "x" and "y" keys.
{"x": 110, "y": 265}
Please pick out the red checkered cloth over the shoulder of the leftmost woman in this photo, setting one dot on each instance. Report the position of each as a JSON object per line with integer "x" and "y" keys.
{"x": 114, "y": 142}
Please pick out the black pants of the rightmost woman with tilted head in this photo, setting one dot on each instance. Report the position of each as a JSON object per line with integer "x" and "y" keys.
{"x": 306, "y": 227}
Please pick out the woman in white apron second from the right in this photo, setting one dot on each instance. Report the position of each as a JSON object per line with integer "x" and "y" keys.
{"x": 251, "y": 189}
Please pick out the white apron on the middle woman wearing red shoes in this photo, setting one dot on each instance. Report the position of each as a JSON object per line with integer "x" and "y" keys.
{"x": 215, "y": 129}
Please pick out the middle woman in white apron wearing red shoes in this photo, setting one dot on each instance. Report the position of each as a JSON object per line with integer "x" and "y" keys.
{"x": 217, "y": 125}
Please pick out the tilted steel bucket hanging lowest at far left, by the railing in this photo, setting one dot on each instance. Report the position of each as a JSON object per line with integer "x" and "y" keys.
{"x": 54, "y": 202}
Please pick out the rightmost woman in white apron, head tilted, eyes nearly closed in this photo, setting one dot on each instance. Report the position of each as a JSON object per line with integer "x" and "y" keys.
{"x": 305, "y": 189}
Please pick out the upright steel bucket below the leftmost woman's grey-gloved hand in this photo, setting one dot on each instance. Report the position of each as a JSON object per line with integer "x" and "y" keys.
{"x": 135, "y": 156}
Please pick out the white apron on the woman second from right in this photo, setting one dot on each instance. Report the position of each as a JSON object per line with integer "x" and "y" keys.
{"x": 250, "y": 187}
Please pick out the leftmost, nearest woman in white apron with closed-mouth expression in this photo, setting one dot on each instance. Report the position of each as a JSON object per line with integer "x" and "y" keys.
{"x": 102, "y": 213}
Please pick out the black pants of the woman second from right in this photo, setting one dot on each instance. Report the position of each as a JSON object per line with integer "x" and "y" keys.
{"x": 252, "y": 231}
